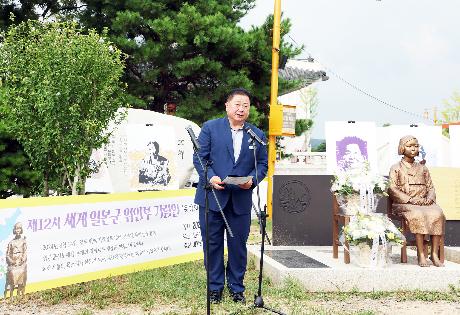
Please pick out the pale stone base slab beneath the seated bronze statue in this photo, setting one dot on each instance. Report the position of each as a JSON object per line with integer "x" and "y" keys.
{"x": 338, "y": 276}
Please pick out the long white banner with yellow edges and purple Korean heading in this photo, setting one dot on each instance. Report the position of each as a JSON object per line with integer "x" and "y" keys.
{"x": 96, "y": 235}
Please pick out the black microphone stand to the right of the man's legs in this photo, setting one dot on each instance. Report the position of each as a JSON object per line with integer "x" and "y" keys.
{"x": 258, "y": 300}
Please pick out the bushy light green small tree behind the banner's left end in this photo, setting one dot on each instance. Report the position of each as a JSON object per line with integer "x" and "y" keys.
{"x": 60, "y": 90}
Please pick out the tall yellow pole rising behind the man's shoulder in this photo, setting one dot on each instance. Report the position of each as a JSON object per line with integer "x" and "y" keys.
{"x": 273, "y": 103}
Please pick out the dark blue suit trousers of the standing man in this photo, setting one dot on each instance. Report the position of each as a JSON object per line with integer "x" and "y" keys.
{"x": 236, "y": 247}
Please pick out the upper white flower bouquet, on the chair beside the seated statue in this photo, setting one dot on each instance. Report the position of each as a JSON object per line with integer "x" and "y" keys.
{"x": 358, "y": 190}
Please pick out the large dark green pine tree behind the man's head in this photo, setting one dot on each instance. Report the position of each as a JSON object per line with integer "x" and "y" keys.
{"x": 189, "y": 52}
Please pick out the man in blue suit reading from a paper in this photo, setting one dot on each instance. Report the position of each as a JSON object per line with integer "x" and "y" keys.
{"x": 227, "y": 145}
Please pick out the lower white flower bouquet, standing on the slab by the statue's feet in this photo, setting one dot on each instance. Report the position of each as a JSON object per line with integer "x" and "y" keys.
{"x": 372, "y": 235}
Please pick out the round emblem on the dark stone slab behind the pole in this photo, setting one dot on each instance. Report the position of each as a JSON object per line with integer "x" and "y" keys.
{"x": 294, "y": 197}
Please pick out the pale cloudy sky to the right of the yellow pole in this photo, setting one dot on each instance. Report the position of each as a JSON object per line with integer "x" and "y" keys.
{"x": 403, "y": 52}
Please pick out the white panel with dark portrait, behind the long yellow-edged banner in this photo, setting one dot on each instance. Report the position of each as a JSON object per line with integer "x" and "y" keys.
{"x": 146, "y": 151}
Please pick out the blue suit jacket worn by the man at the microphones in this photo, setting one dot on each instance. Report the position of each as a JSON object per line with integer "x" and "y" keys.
{"x": 216, "y": 144}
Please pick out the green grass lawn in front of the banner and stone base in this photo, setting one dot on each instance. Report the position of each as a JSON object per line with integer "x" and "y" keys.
{"x": 181, "y": 289}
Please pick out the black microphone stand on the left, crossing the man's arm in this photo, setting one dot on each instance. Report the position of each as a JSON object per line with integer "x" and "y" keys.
{"x": 207, "y": 189}
